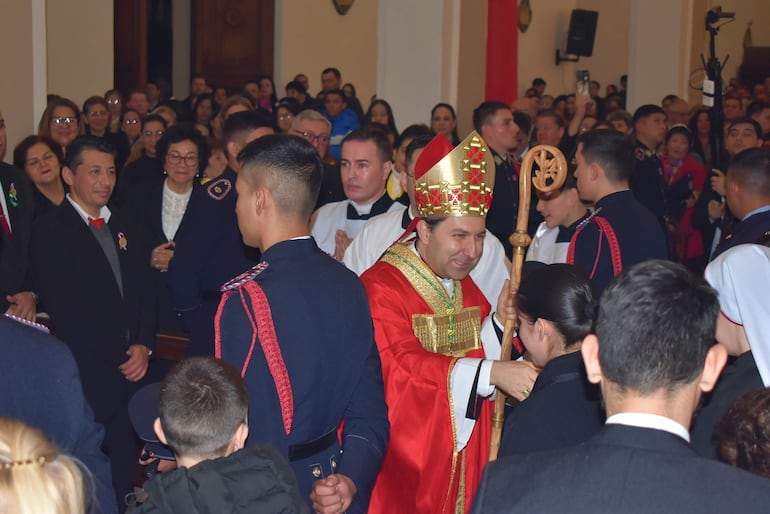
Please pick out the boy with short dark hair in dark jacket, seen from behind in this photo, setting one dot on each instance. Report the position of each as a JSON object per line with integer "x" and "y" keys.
{"x": 203, "y": 405}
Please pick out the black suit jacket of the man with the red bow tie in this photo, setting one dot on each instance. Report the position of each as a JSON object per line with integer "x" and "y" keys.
{"x": 73, "y": 278}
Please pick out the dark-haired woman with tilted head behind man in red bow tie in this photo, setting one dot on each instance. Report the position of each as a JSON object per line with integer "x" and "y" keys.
{"x": 40, "y": 158}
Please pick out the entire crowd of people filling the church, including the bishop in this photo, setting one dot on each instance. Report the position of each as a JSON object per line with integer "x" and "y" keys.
{"x": 342, "y": 288}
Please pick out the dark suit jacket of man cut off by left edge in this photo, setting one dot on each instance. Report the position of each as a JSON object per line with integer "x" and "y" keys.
{"x": 13, "y": 252}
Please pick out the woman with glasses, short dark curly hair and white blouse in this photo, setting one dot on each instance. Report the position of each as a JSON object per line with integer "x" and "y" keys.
{"x": 159, "y": 206}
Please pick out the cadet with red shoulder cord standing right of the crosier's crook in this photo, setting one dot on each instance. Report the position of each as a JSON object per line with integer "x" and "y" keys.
{"x": 621, "y": 232}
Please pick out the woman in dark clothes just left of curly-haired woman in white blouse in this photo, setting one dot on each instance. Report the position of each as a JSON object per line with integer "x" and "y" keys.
{"x": 147, "y": 166}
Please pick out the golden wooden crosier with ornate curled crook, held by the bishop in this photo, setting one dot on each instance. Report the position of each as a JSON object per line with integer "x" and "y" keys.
{"x": 546, "y": 167}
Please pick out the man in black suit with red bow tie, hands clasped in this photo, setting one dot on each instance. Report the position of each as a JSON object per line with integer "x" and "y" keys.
{"x": 90, "y": 268}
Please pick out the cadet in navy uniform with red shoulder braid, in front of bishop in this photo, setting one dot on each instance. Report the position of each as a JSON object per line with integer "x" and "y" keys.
{"x": 298, "y": 326}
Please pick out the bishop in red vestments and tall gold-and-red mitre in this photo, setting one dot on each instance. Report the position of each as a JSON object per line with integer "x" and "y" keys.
{"x": 437, "y": 340}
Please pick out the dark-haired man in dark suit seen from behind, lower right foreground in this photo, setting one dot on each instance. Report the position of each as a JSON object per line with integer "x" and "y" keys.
{"x": 653, "y": 355}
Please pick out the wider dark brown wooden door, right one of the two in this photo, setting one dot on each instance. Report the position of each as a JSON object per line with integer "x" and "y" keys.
{"x": 232, "y": 40}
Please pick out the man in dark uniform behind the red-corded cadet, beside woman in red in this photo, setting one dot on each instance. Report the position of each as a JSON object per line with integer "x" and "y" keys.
{"x": 647, "y": 183}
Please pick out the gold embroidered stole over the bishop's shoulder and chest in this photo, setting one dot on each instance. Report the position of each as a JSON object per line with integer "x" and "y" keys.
{"x": 451, "y": 329}
